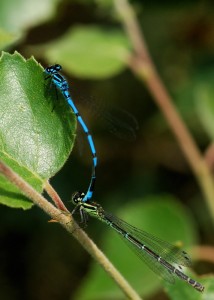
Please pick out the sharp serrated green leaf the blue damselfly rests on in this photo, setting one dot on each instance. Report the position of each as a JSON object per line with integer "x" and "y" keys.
{"x": 35, "y": 140}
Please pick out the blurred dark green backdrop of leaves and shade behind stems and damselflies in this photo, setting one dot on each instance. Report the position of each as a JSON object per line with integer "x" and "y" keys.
{"x": 142, "y": 175}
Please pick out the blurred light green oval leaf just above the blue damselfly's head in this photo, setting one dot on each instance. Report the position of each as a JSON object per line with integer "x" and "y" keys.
{"x": 90, "y": 52}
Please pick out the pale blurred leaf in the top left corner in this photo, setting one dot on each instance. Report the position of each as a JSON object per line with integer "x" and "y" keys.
{"x": 18, "y": 15}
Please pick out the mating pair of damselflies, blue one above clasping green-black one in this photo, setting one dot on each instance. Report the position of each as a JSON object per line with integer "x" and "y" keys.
{"x": 164, "y": 259}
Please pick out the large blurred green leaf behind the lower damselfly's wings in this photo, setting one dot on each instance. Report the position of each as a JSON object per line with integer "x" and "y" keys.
{"x": 162, "y": 216}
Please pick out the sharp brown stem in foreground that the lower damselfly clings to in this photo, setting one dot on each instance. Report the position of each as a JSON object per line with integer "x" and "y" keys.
{"x": 66, "y": 220}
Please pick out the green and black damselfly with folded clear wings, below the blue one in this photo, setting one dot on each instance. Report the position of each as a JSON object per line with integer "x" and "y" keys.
{"x": 163, "y": 258}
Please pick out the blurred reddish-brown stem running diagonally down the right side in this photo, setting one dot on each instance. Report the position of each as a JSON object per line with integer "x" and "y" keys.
{"x": 142, "y": 66}
